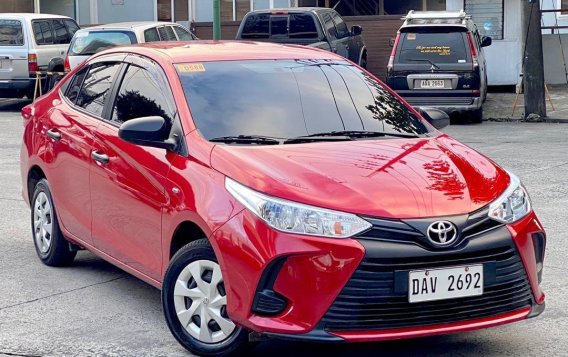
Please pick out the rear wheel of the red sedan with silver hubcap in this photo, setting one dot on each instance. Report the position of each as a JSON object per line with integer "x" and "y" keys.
{"x": 51, "y": 247}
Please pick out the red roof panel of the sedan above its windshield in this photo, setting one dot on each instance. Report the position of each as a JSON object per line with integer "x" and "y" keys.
{"x": 208, "y": 51}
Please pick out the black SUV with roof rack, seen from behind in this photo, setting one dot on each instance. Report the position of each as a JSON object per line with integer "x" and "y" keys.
{"x": 437, "y": 60}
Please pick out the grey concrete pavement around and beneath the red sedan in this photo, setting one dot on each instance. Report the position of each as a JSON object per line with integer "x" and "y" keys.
{"x": 95, "y": 309}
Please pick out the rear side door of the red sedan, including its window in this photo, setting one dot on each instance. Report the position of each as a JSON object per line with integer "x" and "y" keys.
{"x": 69, "y": 129}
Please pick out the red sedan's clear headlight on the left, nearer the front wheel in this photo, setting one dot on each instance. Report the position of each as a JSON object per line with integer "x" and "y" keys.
{"x": 291, "y": 217}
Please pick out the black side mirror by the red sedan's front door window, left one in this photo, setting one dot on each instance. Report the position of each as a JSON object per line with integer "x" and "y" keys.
{"x": 151, "y": 131}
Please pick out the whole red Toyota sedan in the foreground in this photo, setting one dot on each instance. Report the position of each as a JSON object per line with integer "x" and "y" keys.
{"x": 279, "y": 190}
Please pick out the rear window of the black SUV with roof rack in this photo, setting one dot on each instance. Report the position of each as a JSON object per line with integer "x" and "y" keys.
{"x": 437, "y": 47}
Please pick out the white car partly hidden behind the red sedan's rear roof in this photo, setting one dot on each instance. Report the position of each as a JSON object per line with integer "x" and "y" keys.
{"x": 89, "y": 41}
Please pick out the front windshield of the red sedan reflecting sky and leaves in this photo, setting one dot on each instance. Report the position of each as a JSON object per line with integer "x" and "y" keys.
{"x": 290, "y": 98}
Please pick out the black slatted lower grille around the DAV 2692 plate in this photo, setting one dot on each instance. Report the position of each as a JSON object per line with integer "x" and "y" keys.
{"x": 376, "y": 297}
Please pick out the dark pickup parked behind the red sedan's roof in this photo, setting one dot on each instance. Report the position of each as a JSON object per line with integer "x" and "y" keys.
{"x": 317, "y": 27}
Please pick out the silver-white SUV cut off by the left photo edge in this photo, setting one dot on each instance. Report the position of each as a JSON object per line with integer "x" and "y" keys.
{"x": 30, "y": 43}
